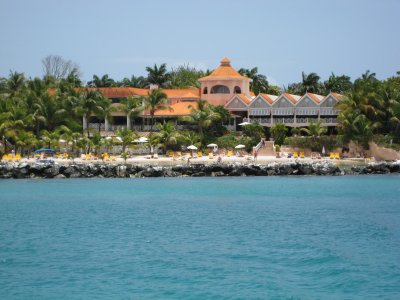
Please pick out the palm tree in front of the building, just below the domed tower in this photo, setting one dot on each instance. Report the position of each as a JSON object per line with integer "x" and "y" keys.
{"x": 203, "y": 115}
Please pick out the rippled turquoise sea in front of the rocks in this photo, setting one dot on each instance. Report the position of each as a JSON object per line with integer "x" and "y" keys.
{"x": 201, "y": 238}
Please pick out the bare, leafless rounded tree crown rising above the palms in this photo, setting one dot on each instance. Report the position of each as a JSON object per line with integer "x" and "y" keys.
{"x": 56, "y": 67}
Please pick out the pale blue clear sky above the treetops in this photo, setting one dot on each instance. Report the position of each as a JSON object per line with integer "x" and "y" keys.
{"x": 281, "y": 38}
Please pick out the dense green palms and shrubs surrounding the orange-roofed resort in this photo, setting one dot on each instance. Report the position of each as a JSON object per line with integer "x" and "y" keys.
{"x": 42, "y": 111}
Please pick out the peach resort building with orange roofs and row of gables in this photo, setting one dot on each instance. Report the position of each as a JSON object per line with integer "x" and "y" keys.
{"x": 226, "y": 86}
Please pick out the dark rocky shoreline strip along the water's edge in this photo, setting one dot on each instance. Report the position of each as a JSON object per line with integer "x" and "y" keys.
{"x": 26, "y": 170}
